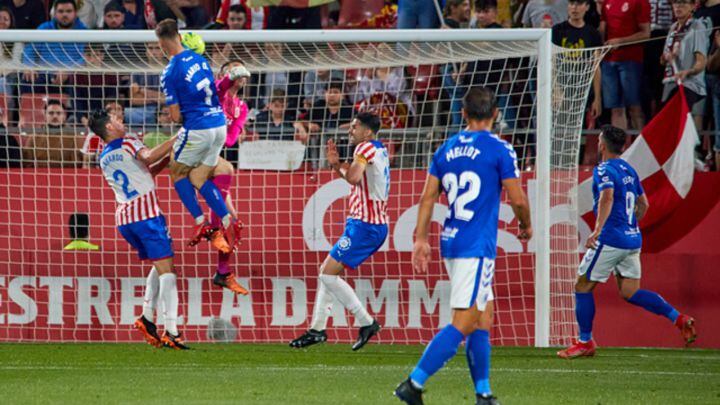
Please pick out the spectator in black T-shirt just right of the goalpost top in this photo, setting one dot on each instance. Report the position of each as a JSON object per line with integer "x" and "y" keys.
{"x": 575, "y": 33}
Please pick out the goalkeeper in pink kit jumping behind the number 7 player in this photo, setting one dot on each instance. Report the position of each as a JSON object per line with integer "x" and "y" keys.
{"x": 233, "y": 77}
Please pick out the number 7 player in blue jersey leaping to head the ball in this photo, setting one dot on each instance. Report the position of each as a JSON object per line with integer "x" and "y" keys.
{"x": 190, "y": 93}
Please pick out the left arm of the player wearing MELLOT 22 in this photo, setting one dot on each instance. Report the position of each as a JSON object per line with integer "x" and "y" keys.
{"x": 421, "y": 248}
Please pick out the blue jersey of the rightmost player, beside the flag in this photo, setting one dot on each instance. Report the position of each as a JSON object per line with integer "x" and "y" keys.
{"x": 621, "y": 229}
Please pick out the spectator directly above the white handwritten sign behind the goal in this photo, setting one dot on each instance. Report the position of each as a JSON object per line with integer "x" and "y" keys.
{"x": 275, "y": 123}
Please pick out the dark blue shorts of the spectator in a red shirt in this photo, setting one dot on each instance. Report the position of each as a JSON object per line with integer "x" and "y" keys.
{"x": 621, "y": 83}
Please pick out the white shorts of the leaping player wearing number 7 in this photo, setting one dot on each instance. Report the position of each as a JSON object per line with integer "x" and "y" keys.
{"x": 199, "y": 146}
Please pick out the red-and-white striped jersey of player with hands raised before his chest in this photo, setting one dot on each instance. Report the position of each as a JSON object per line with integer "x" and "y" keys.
{"x": 368, "y": 199}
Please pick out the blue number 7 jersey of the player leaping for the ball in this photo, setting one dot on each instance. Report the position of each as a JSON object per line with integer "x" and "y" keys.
{"x": 188, "y": 80}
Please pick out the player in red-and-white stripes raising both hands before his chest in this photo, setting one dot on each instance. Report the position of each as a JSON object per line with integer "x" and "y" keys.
{"x": 365, "y": 230}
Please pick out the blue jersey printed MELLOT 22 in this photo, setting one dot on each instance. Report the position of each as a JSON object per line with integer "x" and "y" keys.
{"x": 471, "y": 167}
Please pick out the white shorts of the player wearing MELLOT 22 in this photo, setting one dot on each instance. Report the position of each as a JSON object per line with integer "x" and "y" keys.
{"x": 470, "y": 282}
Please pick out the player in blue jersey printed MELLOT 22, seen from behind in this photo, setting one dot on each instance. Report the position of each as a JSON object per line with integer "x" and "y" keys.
{"x": 472, "y": 168}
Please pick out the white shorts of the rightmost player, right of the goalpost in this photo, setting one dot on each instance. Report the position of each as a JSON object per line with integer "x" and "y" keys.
{"x": 599, "y": 263}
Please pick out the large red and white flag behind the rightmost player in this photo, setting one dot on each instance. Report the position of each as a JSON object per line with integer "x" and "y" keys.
{"x": 663, "y": 156}
